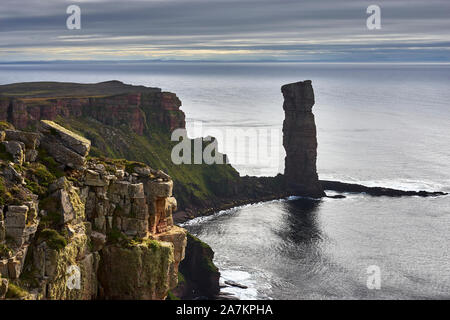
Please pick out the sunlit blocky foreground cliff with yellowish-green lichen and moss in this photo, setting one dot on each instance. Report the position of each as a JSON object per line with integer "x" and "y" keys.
{"x": 78, "y": 228}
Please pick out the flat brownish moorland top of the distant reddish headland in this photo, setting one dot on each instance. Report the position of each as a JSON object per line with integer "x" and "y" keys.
{"x": 69, "y": 89}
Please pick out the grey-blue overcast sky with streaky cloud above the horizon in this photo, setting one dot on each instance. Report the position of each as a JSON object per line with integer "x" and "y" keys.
{"x": 226, "y": 30}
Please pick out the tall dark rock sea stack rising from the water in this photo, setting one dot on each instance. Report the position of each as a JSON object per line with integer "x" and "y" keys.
{"x": 300, "y": 140}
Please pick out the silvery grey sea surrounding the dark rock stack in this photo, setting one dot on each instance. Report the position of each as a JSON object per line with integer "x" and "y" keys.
{"x": 379, "y": 125}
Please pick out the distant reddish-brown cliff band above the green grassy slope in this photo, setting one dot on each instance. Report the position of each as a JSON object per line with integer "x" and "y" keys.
{"x": 127, "y": 109}
